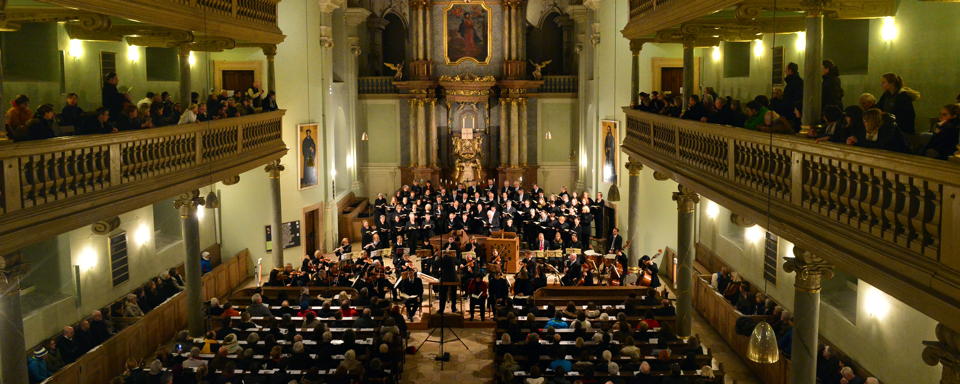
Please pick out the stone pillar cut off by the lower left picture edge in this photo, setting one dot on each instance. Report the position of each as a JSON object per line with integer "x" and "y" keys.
{"x": 13, "y": 360}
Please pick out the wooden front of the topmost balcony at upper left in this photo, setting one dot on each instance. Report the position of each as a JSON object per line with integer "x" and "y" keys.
{"x": 252, "y": 21}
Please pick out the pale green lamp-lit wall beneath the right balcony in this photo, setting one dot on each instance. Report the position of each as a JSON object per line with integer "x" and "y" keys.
{"x": 869, "y": 340}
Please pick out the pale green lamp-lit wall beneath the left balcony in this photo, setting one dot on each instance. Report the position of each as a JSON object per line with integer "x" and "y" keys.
{"x": 95, "y": 287}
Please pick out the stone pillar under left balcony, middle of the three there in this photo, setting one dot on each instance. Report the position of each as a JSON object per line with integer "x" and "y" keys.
{"x": 188, "y": 203}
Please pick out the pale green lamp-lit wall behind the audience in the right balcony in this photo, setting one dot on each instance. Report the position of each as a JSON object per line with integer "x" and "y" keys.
{"x": 927, "y": 33}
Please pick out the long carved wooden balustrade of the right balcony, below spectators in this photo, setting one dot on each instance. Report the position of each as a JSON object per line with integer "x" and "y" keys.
{"x": 892, "y": 219}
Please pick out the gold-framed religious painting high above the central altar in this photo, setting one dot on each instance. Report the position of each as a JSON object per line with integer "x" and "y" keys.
{"x": 468, "y": 33}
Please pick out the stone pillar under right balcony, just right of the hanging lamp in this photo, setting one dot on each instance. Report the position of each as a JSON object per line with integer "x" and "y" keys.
{"x": 811, "y": 270}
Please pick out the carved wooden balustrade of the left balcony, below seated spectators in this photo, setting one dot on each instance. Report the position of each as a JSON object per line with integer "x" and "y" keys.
{"x": 51, "y": 186}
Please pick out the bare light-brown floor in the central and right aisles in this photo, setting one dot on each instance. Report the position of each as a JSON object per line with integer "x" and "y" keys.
{"x": 476, "y": 365}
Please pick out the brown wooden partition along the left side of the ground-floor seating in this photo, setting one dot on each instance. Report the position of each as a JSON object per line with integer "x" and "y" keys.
{"x": 141, "y": 338}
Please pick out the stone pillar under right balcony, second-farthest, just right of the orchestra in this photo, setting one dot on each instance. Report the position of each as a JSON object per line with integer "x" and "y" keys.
{"x": 686, "y": 202}
